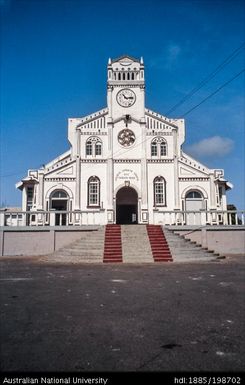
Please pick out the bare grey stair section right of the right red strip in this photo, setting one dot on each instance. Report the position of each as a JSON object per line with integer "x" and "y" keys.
{"x": 184, "y": 250}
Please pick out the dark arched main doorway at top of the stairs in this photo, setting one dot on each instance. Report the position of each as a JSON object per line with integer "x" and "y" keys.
{"x": 127, "y": 206}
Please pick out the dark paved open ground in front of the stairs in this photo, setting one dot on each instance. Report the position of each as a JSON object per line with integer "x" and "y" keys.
{"x": 156, "y": 317}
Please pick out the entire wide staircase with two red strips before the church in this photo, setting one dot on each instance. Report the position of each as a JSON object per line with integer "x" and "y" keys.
{"x": 131, "y": 244}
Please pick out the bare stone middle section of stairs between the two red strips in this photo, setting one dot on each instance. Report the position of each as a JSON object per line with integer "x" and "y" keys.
{"x": 136, "y": 245}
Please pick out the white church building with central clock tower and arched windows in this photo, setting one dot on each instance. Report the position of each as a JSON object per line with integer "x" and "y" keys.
{"x": 125, "y": 165}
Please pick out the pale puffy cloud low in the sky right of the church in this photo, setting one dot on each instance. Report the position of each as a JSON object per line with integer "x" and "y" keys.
{"x": 215, "y": 146}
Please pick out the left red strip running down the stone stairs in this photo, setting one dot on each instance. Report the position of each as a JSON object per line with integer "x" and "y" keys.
{"x": 113, "y": 244}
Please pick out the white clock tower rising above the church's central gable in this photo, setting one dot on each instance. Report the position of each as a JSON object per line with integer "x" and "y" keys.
{"x": 126, "y": 88}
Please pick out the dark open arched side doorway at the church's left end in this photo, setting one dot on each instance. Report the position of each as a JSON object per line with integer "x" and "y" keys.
{"x": 59, "y": 202}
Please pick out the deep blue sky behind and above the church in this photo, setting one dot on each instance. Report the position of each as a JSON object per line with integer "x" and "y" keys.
{"x": 54, "y": 55}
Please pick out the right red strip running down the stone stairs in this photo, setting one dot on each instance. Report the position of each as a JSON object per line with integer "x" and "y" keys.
{"x": 159, "y": 245}
